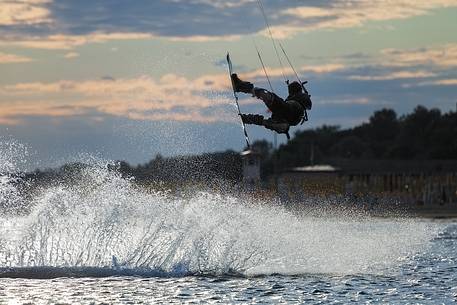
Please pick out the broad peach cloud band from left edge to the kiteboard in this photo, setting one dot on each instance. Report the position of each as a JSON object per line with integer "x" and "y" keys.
{"x": 136, "y": 98}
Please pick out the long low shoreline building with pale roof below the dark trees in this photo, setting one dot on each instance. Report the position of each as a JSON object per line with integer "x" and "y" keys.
{"x": 409, "y": 182}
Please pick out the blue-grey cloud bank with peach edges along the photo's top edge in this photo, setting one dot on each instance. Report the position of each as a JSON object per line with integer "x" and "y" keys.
{"x": 196, "y": 20}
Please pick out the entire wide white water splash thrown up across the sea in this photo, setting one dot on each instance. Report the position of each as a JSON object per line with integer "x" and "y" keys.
{"x": 101, "y": 220}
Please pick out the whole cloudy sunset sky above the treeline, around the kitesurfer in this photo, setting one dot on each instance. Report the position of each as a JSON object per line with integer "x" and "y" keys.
{"x": 127, "y": 80}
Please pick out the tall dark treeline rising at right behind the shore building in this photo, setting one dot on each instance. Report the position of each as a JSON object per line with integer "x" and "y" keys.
{"x": 424, "y": 134}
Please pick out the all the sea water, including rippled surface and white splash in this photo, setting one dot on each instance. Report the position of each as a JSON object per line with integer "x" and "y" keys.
{"x": 104, "y": 240}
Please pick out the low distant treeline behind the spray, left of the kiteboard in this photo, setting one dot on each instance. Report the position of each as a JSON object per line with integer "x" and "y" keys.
{"x": 209, "y": 169}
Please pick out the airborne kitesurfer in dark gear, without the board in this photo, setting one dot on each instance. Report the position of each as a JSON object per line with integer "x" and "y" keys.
{"x": 284, "y": 113}
